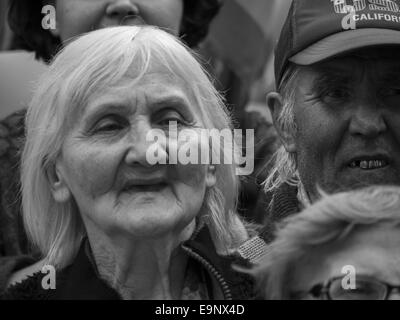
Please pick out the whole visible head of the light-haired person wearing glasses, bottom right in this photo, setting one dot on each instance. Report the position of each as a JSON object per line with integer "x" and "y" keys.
{"x": 345, "y": 246}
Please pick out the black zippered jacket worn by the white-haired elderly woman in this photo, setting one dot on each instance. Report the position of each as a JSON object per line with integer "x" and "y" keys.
{"x": 80, "y": 280}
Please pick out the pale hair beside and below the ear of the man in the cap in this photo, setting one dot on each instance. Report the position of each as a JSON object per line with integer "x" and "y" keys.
{"x": 284, "y": 168}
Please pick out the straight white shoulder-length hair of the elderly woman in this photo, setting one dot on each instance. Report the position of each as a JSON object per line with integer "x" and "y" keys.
{"x": 88, "y": 65}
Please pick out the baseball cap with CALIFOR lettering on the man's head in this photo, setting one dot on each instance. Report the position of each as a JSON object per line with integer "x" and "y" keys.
{"x": 316, "y": 30}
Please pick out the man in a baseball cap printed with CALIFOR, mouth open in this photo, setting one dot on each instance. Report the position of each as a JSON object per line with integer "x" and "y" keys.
{"x": 337, "y": 109}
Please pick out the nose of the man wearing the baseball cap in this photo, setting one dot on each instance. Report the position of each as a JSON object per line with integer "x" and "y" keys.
{"x": 367, "y": 120}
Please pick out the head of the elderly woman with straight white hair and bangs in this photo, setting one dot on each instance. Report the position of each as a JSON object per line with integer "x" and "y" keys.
{"x": 85, "y": 167}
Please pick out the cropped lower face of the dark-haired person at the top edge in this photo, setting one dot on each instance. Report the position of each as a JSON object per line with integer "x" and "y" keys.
{"x": 75, "y": 17}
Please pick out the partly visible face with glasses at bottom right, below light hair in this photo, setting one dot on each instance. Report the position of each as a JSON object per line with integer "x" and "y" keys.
{"x": 358, "y": 267}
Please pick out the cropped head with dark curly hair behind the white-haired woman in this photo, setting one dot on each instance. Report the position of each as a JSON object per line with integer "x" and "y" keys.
{"x": 186, "y": 18}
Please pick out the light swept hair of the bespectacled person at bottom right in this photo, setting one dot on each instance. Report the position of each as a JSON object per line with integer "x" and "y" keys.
{"x": 332, "y": 218}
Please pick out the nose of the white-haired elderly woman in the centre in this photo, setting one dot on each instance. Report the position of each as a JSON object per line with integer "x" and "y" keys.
{"x": 142, "y": 147}
